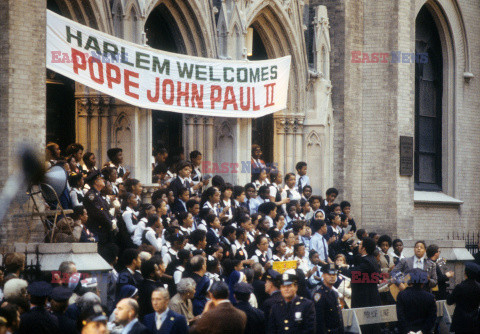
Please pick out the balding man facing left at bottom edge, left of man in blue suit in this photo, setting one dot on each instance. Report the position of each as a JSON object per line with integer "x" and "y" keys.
{"x": 126, "y": 314}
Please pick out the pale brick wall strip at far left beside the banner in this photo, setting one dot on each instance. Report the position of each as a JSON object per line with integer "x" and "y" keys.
{"x": 22, "y": 91}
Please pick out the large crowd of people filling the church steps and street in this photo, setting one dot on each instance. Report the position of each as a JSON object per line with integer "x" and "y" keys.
{"x": 206, "y": 256}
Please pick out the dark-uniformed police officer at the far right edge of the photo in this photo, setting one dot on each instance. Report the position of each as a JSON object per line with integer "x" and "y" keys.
{"x": 466, "y": 296}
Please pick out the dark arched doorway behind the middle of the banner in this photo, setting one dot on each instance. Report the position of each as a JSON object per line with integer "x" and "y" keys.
{"x": 163, "y": 34}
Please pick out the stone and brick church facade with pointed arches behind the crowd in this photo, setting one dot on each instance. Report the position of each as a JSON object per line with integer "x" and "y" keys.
{"x": 346, "y": 112}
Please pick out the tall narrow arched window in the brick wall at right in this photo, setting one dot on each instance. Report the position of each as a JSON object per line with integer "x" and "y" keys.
{"x": 428, "y": 103}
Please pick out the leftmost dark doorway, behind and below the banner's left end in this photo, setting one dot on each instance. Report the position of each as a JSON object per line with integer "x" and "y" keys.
{"x": 60, "y": 103}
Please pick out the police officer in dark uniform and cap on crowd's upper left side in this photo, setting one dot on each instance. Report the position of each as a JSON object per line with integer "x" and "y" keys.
{"x": 99, "y": 221}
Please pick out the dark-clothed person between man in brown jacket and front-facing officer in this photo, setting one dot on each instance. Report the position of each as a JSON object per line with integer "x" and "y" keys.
{"x": 255, "y": 317}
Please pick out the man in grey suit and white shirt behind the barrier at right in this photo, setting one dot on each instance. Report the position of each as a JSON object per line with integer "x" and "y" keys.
{"x": 420, "y": 261}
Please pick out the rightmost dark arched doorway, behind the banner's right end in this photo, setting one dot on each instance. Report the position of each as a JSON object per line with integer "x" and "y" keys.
{"x": 262, "y": 127}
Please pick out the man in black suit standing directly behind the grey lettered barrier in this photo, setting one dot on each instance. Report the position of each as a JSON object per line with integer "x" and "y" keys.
{"x": 365, "y": 276}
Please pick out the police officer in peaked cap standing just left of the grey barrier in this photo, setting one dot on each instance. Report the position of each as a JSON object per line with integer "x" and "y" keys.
{"x": 327, "y": 309}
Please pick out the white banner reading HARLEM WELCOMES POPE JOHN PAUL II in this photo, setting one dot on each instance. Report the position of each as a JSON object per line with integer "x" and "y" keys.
{"x": 159, "y": 80}
